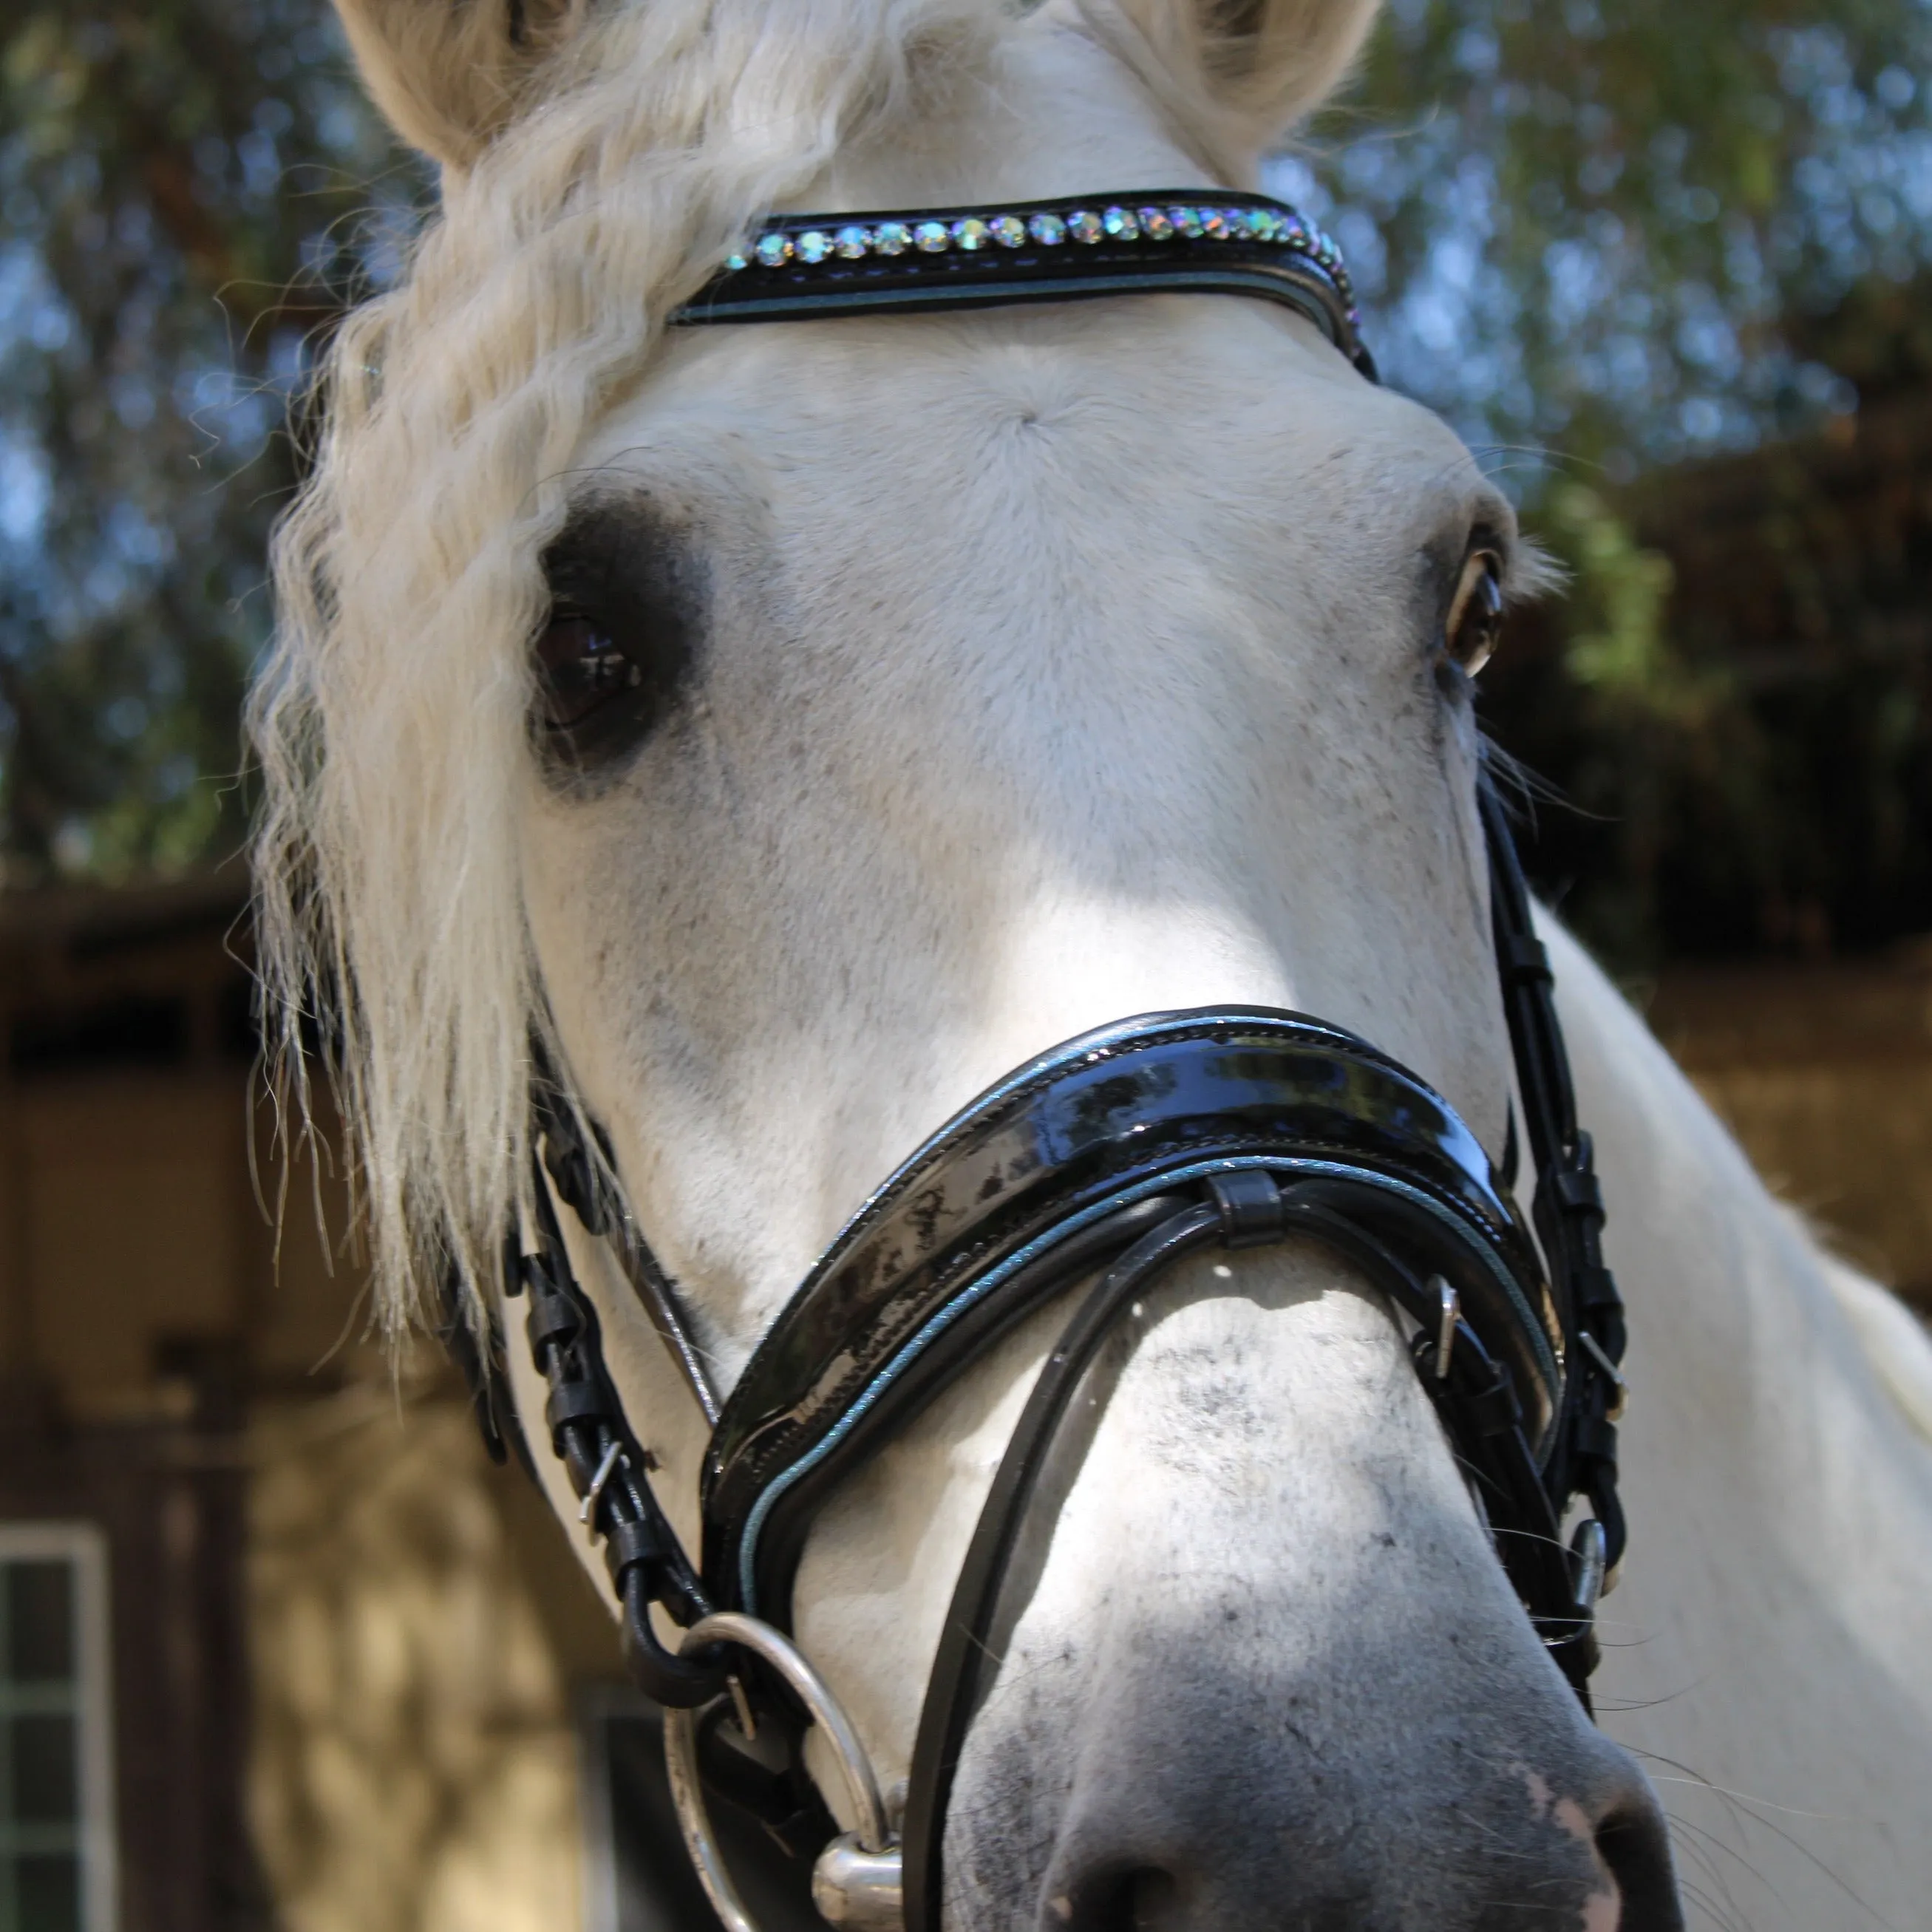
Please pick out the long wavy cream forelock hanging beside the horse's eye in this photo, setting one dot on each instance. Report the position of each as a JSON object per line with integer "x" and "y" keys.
{"x": 389, "y": 720}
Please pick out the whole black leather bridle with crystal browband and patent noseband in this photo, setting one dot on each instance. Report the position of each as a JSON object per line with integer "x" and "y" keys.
{"x": 1106, "y": 1160}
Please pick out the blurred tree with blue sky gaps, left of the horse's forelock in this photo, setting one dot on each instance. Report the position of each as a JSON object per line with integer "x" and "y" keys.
{"x": 186, "y": 196}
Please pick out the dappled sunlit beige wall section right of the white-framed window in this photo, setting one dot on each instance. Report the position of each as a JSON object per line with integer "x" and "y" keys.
{"x": 414, "y": 1761}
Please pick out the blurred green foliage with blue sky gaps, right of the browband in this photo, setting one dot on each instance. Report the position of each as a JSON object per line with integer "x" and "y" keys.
{"x": 1585, "y": 227}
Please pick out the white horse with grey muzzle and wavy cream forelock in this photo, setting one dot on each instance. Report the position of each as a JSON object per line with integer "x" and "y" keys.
{"x": 1000, "y": 677}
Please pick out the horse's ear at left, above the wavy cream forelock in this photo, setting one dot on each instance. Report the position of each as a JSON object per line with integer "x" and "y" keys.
{"x": 451, "y": 74}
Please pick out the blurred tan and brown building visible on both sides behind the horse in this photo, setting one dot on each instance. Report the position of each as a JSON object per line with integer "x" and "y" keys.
{"x": 279, "y": 1647}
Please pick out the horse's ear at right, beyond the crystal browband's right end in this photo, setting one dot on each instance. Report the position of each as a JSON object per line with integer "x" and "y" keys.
{"x": 1263, "y": 65}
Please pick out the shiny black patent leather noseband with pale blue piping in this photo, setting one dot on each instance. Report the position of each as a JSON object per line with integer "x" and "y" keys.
{"x": 986, "y": 1220}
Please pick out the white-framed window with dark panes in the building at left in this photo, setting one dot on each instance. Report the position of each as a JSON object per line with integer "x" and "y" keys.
{"x": 57, "y": 1827}
